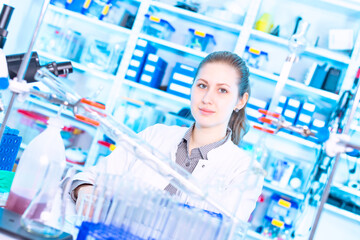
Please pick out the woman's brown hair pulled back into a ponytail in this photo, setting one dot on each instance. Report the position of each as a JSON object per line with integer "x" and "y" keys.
{"x": 237, "y": 121}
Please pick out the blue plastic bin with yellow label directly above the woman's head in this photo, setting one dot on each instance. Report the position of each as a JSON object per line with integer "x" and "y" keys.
{"x": 200, "y": 41}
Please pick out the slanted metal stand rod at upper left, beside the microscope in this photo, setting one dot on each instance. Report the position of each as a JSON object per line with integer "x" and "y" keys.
{"x": 24, "y": 65}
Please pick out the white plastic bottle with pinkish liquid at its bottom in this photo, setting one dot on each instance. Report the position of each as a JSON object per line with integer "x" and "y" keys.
{"x": 45, "y": 148}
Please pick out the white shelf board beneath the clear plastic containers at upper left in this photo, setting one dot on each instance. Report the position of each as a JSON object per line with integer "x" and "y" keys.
{"x": 79, "y": 66}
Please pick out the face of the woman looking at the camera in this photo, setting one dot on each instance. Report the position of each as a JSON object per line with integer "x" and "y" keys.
{"x": 214, "y": 95}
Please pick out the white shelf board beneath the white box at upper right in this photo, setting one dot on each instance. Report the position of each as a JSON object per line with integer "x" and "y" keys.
{"x": 320, "y": 52}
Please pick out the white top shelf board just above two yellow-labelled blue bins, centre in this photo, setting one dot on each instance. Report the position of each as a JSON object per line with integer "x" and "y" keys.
{"x": 195, "y": 17}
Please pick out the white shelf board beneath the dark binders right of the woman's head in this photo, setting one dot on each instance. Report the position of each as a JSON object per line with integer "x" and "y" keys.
{"x": 297, "y": 86}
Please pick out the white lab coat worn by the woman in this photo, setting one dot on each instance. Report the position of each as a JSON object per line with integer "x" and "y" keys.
{"x": 224, "y": 170}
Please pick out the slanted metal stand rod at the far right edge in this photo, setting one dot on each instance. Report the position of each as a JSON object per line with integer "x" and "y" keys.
{"x": 326, "y": 192}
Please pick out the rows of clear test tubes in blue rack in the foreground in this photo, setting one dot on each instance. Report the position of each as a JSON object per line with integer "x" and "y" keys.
{"x": 144, "y": 213}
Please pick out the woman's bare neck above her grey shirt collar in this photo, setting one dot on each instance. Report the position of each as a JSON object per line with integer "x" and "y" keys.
{"x": 204, "y": 136}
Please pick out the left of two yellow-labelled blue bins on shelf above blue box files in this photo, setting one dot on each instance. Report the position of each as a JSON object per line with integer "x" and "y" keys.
{"x": 157, "y": 27}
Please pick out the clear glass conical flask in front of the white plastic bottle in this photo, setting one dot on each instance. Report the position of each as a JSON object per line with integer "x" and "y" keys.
{"x": 45, "y": 215}
